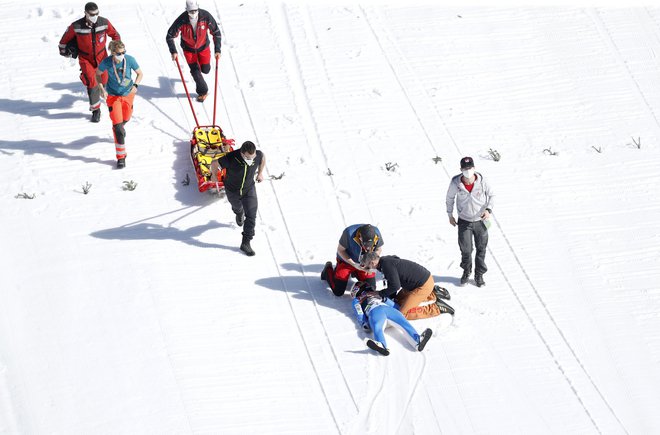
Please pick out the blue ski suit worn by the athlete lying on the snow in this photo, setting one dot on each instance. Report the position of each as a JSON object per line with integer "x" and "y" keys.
{"x": 371, "y": 309}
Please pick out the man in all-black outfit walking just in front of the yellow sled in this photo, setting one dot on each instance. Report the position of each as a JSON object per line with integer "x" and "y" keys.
{"x": 243, "y": 167}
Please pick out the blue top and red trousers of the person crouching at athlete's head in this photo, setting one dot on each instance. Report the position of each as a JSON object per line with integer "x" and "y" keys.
{"x": 338, "y": 279}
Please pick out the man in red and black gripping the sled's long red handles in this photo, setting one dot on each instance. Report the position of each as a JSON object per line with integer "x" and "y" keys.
{"x": 194, "y": 26}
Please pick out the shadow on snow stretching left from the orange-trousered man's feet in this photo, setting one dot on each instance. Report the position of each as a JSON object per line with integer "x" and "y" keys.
{"x": 55, "y": 149}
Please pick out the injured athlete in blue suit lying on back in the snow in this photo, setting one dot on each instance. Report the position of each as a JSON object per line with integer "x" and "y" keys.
{"x": 374, "y": 312}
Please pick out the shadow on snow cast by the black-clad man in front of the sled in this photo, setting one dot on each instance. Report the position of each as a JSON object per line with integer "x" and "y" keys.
{"x": 150, "y": 231}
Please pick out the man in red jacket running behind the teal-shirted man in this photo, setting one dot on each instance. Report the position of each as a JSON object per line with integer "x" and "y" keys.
{"x": 86, "y": 39}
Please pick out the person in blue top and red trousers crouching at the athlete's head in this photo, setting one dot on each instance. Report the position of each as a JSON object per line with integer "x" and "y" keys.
{"x": 354, "y": 243}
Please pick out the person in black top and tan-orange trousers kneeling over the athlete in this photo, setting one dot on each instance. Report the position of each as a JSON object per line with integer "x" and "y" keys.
{"x": 410, "y": 285}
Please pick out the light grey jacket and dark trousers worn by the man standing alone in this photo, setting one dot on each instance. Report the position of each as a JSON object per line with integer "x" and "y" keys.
{"x": 470, "y": 206}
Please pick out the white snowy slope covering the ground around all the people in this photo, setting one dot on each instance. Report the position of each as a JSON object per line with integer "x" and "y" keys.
{"x": 134, "y": 311}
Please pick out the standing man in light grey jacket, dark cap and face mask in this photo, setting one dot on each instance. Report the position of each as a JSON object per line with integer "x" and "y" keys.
{"x": 474, "y": 203}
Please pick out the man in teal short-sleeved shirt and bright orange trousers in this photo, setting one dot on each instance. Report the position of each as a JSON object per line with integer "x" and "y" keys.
{"x": 119, "y": 92}
